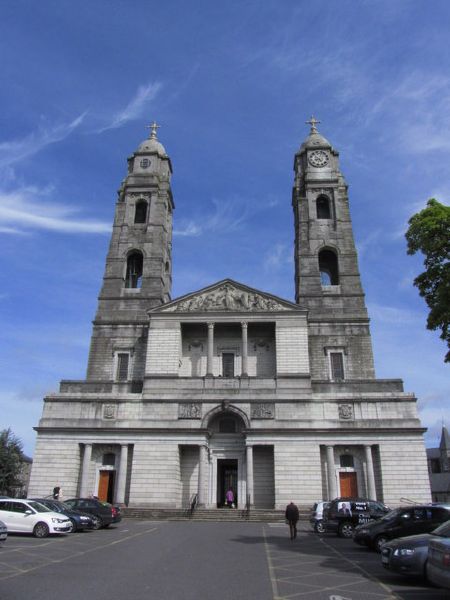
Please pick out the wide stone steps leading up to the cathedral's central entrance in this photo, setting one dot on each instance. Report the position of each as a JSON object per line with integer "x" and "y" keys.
{"x": 260, "y": 515}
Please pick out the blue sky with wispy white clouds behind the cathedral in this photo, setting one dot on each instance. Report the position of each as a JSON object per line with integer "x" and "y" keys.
{"x": 231, "y": 85}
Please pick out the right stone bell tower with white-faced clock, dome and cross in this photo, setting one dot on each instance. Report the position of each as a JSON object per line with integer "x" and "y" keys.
{"x": 327, "y": 279}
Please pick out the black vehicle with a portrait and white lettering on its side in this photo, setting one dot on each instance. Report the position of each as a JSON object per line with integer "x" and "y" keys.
{"x": 344, "y": 514}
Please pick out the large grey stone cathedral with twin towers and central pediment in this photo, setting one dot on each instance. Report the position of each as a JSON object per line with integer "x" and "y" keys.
{"x": 230, "y": 386}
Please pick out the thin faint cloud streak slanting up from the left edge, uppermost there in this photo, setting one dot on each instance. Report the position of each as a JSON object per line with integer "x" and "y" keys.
{"x": 15, "y": 150}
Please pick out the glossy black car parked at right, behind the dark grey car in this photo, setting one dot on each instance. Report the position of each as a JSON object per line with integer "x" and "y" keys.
{"x": 401, "y": 522}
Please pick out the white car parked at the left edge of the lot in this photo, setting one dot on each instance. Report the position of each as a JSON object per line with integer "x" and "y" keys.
{"x": 27, "y": 516}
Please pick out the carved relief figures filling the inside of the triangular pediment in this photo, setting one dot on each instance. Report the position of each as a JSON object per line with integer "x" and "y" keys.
{"x": 227, "y": 298}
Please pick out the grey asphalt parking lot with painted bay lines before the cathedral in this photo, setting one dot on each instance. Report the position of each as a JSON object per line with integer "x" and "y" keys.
{"x": 201, "y": 561}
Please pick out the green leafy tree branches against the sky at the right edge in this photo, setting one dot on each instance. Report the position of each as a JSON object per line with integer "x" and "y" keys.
{"x": 429, "y": 233}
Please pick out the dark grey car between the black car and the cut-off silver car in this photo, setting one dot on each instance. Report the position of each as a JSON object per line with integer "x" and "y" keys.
{"x": 409, "y": 554}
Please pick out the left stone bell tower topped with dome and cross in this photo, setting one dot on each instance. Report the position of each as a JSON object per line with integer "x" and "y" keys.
{"x": 138, "y": 272}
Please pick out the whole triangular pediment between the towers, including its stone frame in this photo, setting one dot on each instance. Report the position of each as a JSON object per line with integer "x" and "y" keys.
{"x": 227, "y": 296}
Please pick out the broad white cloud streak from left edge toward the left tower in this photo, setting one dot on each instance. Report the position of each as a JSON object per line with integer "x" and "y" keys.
{"x": 20, "y": 213}
